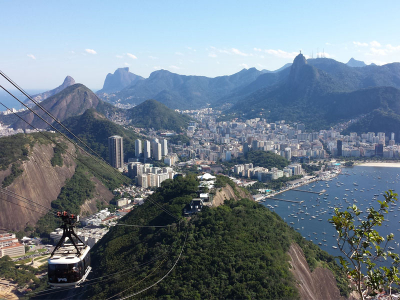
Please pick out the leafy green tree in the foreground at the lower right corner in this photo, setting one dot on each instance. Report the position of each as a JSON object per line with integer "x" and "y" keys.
{"x": 363, "y": 246}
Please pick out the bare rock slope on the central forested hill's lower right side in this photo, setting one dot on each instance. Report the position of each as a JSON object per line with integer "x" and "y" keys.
{"x": 316, "y": 285}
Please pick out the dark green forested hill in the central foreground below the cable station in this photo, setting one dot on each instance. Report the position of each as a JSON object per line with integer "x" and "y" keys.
{"x": 236, "y": 250}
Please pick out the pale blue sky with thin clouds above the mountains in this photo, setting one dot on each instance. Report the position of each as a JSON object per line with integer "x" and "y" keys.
{"x": 44, "y": 41}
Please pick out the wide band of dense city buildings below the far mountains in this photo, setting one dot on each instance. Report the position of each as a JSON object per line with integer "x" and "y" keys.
{"x": 215, "y": 141}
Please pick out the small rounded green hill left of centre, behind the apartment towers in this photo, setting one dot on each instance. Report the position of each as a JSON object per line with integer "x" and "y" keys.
{"x": 153, "y": 114}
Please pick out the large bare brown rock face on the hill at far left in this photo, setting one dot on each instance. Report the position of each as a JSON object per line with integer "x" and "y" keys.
{"x": 39, "y": 182}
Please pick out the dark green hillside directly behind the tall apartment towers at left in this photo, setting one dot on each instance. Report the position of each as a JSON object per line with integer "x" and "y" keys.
{"x": 94, "y": 129}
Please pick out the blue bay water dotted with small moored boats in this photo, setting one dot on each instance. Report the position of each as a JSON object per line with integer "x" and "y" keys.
{"x": 315, "y": 203}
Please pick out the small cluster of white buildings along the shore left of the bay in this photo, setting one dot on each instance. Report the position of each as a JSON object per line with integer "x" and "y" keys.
{"x": 264, "y": 174}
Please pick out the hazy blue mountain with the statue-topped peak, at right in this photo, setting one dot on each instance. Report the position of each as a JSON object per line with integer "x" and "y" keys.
{"x": 322, "y": 92}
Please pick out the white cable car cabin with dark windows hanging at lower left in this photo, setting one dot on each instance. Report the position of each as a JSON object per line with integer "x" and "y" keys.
{"x": 67, "y": 267}
